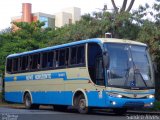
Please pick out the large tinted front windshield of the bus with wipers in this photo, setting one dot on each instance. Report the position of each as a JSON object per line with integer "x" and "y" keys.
{"x": 130, "y": 66}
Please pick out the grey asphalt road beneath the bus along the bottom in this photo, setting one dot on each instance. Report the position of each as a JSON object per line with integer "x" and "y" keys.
{"x": 10, "y": 113}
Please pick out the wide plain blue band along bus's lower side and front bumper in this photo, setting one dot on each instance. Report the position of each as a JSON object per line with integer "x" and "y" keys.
{"x": 65, "y": 98}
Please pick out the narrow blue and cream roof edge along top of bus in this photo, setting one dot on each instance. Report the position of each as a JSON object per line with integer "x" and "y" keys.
{"x": 96, "y": 40}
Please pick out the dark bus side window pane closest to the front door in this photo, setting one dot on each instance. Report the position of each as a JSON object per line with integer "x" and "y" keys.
{"x": 80, "y": 55}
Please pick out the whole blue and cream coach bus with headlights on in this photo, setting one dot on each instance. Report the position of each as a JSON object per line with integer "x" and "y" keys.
{"x": 95, "y": 73}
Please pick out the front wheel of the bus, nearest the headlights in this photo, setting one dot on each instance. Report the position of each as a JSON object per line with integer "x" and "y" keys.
{"x": 82, "y": 105}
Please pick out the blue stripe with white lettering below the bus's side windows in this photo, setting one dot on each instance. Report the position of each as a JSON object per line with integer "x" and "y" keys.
{"x": 42, "y": 76}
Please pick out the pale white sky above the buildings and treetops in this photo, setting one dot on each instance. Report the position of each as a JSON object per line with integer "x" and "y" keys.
{"x": 11, "y": 8}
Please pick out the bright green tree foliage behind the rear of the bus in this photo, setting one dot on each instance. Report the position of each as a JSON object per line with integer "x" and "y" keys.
{"x": 29, "y": 36}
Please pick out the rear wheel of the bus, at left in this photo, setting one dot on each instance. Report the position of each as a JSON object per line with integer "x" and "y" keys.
{"x": 27, "y": 101}
